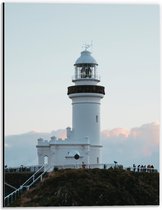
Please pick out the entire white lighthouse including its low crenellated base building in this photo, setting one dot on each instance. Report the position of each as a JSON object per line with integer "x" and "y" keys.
{"x": 83, "y": 140}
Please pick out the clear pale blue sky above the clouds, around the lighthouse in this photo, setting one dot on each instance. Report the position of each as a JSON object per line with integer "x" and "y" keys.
{"x": 42, "y": 42}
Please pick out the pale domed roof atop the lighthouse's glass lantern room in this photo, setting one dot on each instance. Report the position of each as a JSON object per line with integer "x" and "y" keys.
{"x": 85, "y": 58}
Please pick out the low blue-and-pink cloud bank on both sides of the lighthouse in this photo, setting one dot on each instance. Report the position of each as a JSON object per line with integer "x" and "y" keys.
{"x": 136, "y": 146}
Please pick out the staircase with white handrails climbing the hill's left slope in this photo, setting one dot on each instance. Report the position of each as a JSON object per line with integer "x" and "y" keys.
{"x": 37, "y": 176}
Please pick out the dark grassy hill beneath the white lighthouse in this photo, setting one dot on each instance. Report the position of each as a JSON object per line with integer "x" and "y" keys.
{"x": 93, "y": 187}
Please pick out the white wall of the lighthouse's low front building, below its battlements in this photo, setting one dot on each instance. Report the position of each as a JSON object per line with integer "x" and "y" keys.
{"x": 64, "y": 154}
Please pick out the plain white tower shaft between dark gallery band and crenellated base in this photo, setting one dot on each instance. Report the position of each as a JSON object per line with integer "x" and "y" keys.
{"x": 86, "y": 117}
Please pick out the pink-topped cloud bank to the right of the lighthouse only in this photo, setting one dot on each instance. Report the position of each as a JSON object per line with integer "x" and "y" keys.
{"x": 139, "y": 145}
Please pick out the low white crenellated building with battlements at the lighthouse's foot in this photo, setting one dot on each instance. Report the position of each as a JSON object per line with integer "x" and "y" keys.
{"x": 67, "y": 152}
